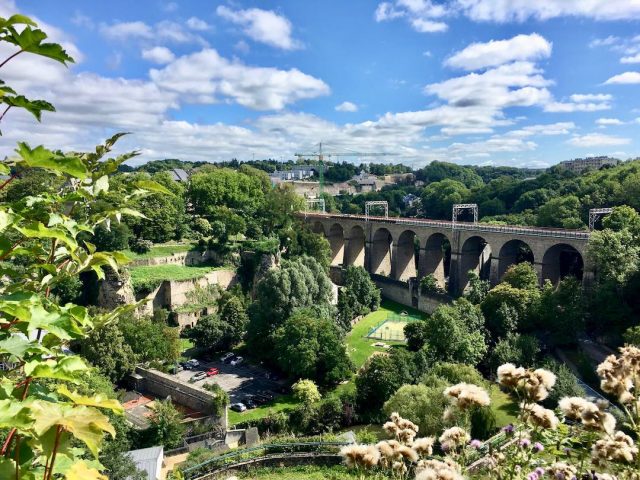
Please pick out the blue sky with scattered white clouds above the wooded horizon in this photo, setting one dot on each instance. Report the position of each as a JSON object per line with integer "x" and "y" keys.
{"x": 524, "y": 83}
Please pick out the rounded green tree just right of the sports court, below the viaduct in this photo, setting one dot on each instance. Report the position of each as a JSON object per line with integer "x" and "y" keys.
{"x": 455, "y": 333}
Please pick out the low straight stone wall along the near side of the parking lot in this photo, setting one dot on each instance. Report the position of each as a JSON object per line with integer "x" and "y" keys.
{"x": 162, "y": 385}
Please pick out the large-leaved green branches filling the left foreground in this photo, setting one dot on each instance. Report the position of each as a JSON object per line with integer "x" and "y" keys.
{"x": 52, "y": 429}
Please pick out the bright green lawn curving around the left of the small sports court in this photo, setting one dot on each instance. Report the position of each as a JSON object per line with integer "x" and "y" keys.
{"x": 359, "y": 347}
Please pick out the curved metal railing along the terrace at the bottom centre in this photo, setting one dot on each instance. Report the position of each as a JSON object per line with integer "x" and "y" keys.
{"x": 260, "y": 452}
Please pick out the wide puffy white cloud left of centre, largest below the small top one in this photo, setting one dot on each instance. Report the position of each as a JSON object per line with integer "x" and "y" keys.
{"x": 206, "y": 77}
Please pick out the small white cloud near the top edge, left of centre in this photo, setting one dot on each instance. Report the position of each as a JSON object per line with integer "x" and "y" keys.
{"x": 263, "y": 26}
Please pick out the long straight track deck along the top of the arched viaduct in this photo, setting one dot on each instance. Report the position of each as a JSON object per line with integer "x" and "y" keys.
{"x": 479, "y": 227}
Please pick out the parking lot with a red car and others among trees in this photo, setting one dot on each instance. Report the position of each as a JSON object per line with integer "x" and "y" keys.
{"x": 238, "y": 381}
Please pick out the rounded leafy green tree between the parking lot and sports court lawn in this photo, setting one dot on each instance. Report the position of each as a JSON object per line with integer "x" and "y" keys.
{"x": 308, "y": 346}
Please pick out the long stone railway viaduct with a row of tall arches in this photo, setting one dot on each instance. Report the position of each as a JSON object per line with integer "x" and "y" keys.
{"x": 406, "y": 249}
